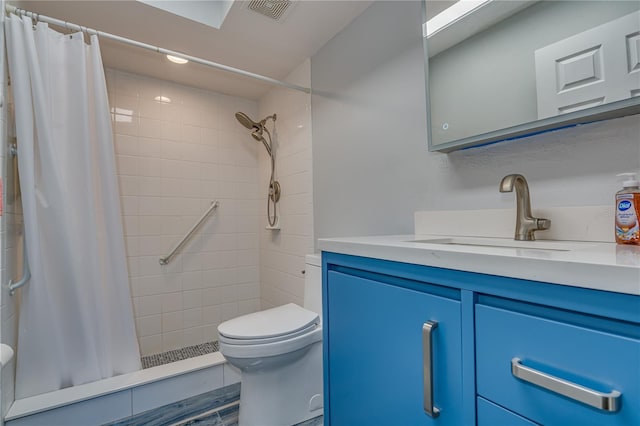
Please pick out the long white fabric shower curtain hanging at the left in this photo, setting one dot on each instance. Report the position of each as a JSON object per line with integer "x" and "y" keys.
{"x": 76, "y": 320}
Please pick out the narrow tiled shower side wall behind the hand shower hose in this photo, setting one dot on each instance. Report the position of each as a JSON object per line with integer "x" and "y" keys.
{"x": 282, "y": 252}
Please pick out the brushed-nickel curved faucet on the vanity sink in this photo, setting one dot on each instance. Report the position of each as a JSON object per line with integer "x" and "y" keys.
{"x": 526, "y": 225}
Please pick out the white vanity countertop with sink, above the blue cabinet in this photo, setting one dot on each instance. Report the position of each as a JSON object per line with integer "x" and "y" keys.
{"x": 594, "y": 265}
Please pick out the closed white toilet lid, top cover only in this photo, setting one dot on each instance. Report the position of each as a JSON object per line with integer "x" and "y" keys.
{"x": 283, "y": 320}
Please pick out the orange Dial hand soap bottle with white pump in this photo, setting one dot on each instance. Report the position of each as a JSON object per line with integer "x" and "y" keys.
{"x": 628, "y": 210}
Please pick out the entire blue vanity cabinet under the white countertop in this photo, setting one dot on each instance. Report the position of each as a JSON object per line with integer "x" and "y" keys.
{"x": 504, "y": 351}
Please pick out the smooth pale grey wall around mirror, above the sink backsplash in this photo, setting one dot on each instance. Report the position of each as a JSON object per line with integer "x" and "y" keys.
{"x": 371, "y": 166}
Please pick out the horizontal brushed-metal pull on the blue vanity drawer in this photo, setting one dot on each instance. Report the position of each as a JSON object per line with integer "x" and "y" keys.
{"x": 602, "y": 401}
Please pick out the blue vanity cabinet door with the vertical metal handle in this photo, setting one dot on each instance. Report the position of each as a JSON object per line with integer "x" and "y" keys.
{"x": 375, "y": 362}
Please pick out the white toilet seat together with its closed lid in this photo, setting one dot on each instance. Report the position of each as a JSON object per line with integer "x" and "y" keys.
{"x": 270, "y": 332}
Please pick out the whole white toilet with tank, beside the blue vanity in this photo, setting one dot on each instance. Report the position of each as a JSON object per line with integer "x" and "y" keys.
{"x": 279, "y": 353}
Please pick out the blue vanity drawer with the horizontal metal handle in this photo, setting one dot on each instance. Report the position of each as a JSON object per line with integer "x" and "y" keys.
{"x": 551, "y": 358}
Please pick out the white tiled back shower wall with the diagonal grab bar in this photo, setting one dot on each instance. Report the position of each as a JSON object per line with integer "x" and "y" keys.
{"x": 174, "y": 156}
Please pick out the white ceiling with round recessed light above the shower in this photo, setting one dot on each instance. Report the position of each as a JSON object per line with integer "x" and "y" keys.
{"x": 246, "y": 40}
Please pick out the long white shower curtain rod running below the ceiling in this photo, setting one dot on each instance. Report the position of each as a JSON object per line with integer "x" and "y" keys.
{"x": 76, "y": 27}
